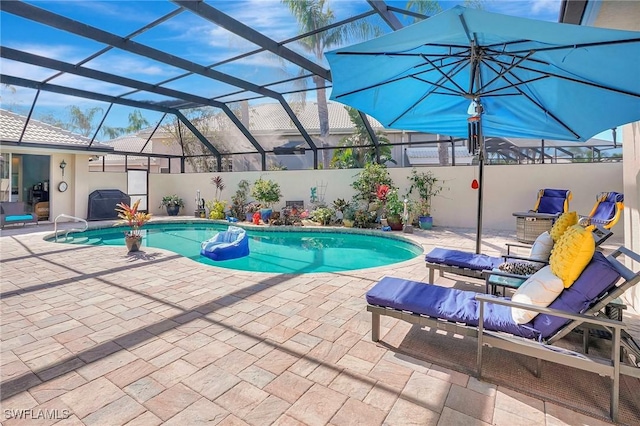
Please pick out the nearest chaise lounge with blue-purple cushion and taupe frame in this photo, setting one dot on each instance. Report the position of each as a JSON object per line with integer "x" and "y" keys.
{"x": 490, "y": 319}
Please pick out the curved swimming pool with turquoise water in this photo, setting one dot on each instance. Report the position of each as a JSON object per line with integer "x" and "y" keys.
{"x": 290, "y": 251}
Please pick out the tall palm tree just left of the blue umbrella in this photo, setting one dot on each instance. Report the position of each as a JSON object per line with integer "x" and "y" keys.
{"x": 313, "y": 15}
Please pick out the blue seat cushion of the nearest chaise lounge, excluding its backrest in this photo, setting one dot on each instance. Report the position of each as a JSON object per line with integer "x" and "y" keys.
{"x": 445, "y": 303}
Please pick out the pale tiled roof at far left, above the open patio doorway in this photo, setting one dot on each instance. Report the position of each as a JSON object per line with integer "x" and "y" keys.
{"x": 42, "y": 134}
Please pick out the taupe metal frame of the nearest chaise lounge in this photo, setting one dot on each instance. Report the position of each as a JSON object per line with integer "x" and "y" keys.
{"x": 592, "y": 318}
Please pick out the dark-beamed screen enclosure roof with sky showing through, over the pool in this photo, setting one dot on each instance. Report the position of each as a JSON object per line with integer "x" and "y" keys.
{"x": 132, "y": 65}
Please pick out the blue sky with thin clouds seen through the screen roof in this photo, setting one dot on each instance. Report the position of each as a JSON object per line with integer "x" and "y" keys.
{"x": 186, "y": 35}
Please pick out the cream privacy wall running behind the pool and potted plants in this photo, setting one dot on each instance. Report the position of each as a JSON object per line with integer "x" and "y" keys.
{"x": 508, "y": 189}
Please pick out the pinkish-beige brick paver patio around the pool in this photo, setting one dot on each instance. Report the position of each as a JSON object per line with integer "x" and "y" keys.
{"x": 97, "y": 336}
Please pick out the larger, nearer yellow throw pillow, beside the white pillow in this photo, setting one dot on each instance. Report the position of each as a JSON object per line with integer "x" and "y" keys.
{"x": 572, "y": 253}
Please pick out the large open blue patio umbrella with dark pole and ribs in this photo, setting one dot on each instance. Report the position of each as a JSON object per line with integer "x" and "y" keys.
{"x": 471, "y": 73}
